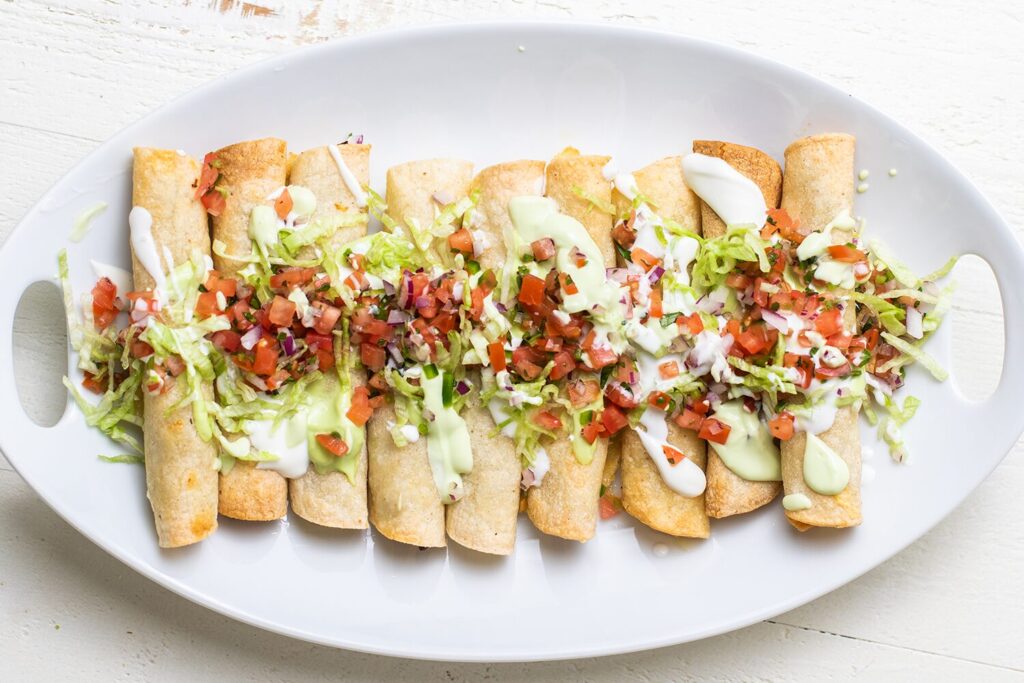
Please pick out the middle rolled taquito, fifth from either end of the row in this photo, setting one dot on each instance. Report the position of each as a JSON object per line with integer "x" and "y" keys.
{"x": 485, "y": 520}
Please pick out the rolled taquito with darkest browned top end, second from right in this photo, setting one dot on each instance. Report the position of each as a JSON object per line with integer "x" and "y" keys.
{"x": 729, "y": 494}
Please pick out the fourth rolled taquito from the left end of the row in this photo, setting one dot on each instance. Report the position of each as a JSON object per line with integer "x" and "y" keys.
{"x": 405, "y": 503}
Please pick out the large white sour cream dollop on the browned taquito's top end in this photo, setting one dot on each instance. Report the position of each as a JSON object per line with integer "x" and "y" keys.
{"x": 736, "y": 199}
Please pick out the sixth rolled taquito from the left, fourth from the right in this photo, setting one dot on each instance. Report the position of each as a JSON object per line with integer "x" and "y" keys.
{"x": 566, "y": 503}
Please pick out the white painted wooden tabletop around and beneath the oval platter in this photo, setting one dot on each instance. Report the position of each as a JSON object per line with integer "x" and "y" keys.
{"x": 951, "y": 608}
